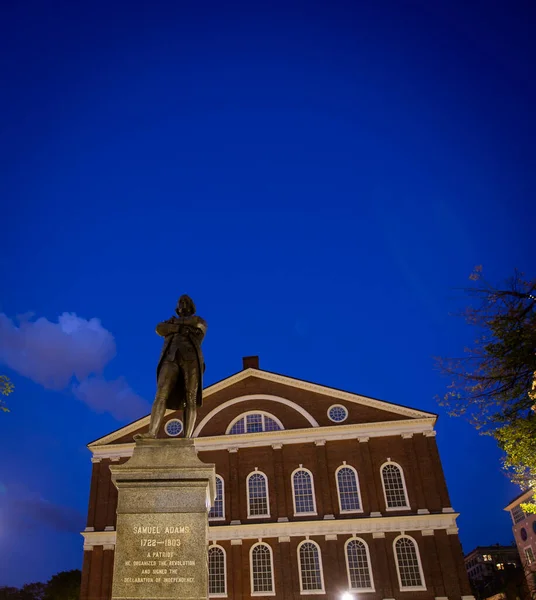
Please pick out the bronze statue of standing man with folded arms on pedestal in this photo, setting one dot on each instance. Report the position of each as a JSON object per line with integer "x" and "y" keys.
{"x": 180, "y": 369}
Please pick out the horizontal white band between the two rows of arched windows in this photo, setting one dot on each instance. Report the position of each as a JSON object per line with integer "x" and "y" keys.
{"x": 358, "y": 526}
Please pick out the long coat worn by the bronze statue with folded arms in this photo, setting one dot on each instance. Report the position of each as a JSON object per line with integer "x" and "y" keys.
{"x": 182, "y": 348}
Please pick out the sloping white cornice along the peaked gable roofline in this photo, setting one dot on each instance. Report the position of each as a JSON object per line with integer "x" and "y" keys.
{"x": 283, "y": 380}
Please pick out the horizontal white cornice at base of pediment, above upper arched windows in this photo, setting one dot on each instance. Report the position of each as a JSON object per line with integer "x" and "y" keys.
{"x": 287, "y": 436}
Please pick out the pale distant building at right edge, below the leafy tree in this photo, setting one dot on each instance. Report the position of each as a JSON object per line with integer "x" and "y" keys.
{"x": 524, "y": 528}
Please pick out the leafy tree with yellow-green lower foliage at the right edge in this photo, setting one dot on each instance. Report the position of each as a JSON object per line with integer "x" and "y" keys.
{"x": 494, "y": 384}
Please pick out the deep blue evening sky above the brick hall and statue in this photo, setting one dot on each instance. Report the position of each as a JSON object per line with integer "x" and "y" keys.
{"x": 320, "y": 177}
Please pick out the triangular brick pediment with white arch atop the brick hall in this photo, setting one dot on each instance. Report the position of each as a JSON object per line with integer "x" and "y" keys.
{"x": 299, "y": 404}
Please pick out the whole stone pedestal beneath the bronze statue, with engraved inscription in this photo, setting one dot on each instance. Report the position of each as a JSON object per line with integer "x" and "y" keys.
{"x": 164, "y": 495}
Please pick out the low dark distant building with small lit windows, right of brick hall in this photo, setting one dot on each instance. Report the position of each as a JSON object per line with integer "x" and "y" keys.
{"x": 492, "y": 568}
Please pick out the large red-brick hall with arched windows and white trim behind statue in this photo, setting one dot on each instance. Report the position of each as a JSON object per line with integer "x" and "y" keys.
{"x": 320, "y": 492}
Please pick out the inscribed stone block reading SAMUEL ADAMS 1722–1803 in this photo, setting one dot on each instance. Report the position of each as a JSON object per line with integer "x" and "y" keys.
{"x": 160, "y": 556}
